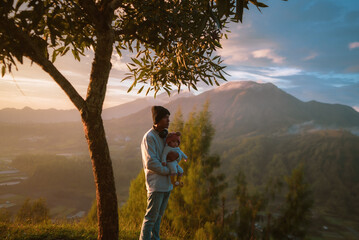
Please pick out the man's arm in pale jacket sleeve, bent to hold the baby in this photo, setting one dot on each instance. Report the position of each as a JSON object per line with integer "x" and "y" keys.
{"x": 153, "y": 162}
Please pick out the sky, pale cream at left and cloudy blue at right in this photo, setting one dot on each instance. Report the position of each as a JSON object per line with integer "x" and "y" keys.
{"x": 308, "y": 48}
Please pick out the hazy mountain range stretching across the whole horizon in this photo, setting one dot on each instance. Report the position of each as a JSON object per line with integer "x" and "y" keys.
{"x": 238, "y": 109}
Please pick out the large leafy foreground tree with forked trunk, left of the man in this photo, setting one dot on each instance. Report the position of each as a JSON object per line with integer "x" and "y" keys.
{"x": 175, "y": 43}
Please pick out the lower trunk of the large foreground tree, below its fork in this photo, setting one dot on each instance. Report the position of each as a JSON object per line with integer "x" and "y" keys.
{"x": 107, "y": 210}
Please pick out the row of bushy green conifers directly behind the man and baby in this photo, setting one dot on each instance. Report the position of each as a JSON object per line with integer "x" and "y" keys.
{"x": 199, "y": 209}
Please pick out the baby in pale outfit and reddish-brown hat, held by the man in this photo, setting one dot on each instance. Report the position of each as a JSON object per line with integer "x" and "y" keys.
{"x": 173, "y": 141}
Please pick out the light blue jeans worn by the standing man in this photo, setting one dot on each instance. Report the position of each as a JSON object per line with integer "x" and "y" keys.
{"x": 156, "y": 205}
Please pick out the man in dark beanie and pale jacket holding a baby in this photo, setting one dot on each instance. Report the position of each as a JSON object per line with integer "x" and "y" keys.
{"x": 158, "y": 181}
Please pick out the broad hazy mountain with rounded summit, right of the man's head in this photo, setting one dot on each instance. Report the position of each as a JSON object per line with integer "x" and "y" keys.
{"x": 250, "y": 108}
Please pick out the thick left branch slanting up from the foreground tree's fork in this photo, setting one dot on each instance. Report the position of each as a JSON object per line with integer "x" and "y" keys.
{"x": 35, "y": 48}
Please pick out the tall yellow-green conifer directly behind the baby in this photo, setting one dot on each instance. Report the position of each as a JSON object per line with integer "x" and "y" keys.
{"x": 195, "y": 208}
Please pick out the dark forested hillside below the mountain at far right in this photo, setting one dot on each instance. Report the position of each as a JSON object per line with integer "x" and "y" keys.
{"x": 330, "y": 160}
